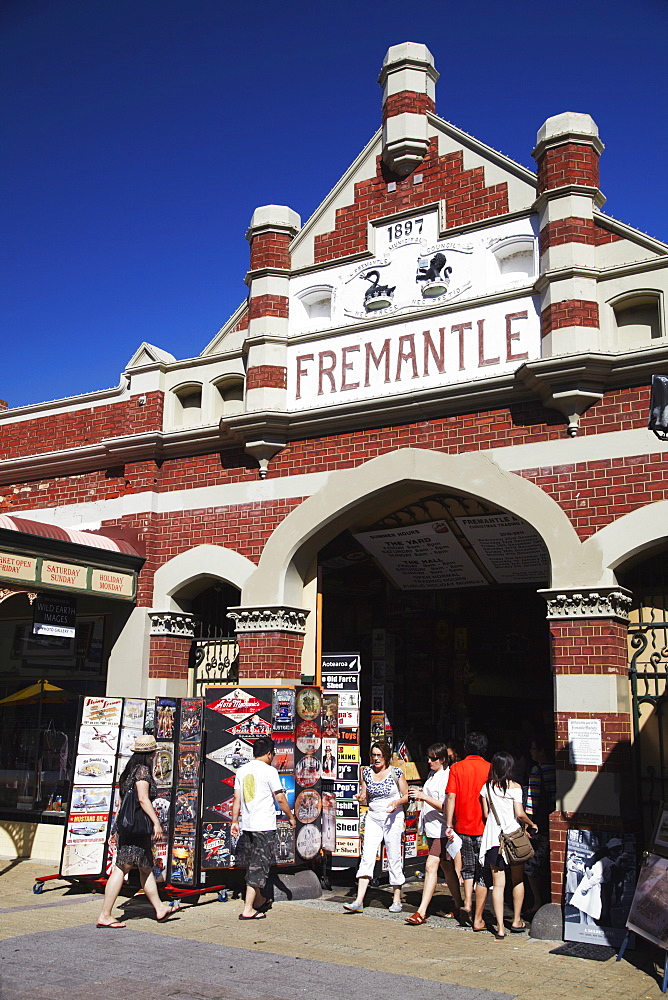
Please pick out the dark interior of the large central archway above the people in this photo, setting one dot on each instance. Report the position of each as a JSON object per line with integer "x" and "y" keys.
{"x": 468, "y": 651}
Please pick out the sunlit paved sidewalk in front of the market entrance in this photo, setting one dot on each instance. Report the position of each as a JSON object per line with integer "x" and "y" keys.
{"x": 49, "y": 948}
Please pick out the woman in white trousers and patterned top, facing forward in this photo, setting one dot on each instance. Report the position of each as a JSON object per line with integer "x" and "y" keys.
{"x": 383, "y": 788}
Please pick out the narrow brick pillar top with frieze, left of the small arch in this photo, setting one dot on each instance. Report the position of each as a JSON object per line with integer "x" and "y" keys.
{"x": 171, "y": 641}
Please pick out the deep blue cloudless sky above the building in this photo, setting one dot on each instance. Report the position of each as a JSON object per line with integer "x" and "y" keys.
{"x": 139, "y": 135}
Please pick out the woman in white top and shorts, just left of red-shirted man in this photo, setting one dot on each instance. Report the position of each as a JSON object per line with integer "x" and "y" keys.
{"x": 432, "y": 824}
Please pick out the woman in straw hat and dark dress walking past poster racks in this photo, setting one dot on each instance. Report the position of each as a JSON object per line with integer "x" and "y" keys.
{"x": 134, "y": 844}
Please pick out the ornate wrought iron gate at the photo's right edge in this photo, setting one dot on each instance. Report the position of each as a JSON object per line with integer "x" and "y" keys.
{"x": 648, "y": 672}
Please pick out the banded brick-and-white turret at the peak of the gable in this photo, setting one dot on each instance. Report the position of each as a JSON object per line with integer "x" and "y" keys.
{"x": 408, "y": 79}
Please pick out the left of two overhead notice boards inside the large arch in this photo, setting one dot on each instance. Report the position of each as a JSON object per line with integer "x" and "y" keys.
{"x": 422, "y": 557}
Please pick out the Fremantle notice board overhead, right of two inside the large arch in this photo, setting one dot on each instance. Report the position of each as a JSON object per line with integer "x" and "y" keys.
{"x": 510, "y": 548}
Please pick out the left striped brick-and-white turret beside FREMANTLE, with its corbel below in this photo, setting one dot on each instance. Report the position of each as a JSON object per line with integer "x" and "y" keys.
{"x": 271, "y": 231}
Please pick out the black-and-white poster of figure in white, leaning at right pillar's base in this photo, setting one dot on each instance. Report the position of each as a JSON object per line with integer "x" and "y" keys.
{"x": 600, "y": 876}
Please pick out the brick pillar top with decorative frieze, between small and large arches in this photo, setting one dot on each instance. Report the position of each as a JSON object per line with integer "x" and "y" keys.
{"x": 270, "y": 640}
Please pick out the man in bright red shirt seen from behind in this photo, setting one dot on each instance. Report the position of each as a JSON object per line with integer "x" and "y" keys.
{"x": 463, "y": 815}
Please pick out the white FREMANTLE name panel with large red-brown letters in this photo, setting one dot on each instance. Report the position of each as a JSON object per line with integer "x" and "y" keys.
{"x": 425, "y": 353}
